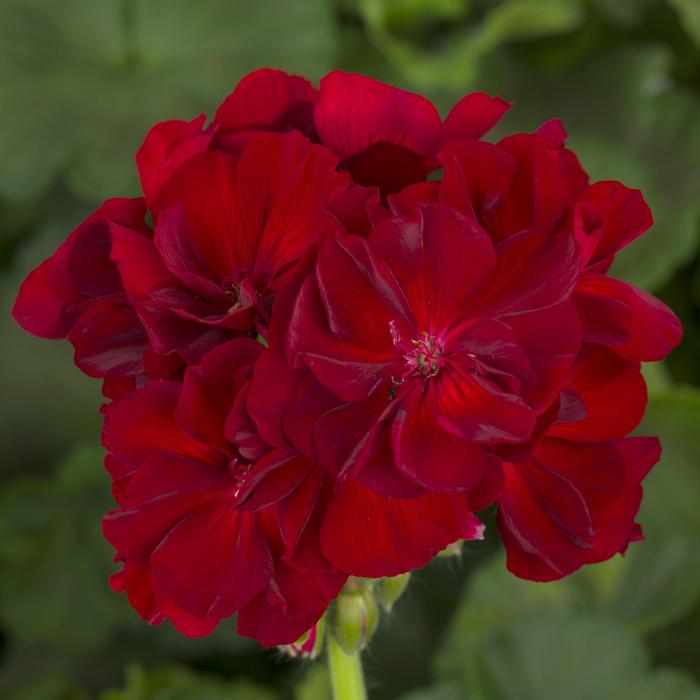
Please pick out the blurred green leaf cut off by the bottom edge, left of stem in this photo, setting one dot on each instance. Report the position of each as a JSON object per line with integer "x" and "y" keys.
{"x": 178, "y": 683}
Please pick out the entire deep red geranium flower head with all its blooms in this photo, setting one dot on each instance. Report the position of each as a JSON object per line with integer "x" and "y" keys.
{"x": 336, "y": 327}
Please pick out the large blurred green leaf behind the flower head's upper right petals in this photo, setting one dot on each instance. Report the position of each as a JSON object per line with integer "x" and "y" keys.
{"x": 621, "y": 121}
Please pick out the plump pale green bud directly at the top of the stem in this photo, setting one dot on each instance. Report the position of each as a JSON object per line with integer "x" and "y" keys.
{"x": 355, "y": 618}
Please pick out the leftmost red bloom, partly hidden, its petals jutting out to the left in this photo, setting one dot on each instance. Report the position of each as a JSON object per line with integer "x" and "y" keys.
{"x": 77, "y": 293}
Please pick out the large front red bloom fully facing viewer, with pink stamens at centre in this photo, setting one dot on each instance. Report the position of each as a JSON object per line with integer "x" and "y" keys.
{"x": 435, "y": 345}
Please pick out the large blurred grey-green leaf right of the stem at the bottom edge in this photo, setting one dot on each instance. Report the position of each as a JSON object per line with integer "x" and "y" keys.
{"x": 519, "y": 640}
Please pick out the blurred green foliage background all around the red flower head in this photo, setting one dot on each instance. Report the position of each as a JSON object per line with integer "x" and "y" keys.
{"x": 80, "y": 83}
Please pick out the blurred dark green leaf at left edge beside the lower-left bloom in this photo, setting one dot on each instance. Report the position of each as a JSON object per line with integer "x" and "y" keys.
{"x": 54, "y": 562}
